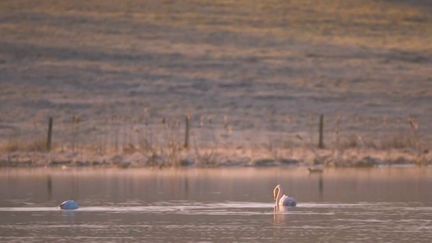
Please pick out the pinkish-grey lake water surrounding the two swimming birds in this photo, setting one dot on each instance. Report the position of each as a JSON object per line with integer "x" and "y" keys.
{"x": 234, "y": 204}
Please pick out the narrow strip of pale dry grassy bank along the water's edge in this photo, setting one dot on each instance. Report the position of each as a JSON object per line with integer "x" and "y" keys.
{"x": 220, "y": 158}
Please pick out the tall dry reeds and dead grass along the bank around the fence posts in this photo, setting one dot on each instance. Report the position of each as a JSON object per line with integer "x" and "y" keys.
{"x": 163, "y": 145}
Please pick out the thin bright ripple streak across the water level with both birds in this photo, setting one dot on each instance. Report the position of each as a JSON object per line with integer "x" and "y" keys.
{"x": 235, "y": 208}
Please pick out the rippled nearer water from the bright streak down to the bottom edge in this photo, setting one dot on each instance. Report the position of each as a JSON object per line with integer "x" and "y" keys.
{"x": 225, "y": 221}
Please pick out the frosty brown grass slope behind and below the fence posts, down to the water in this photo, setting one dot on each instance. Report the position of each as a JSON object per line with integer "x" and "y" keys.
{"x": 118, "y": 77}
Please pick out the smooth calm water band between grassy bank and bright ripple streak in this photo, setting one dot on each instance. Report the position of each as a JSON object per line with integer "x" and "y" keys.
{"x": 101, "y": 187}
